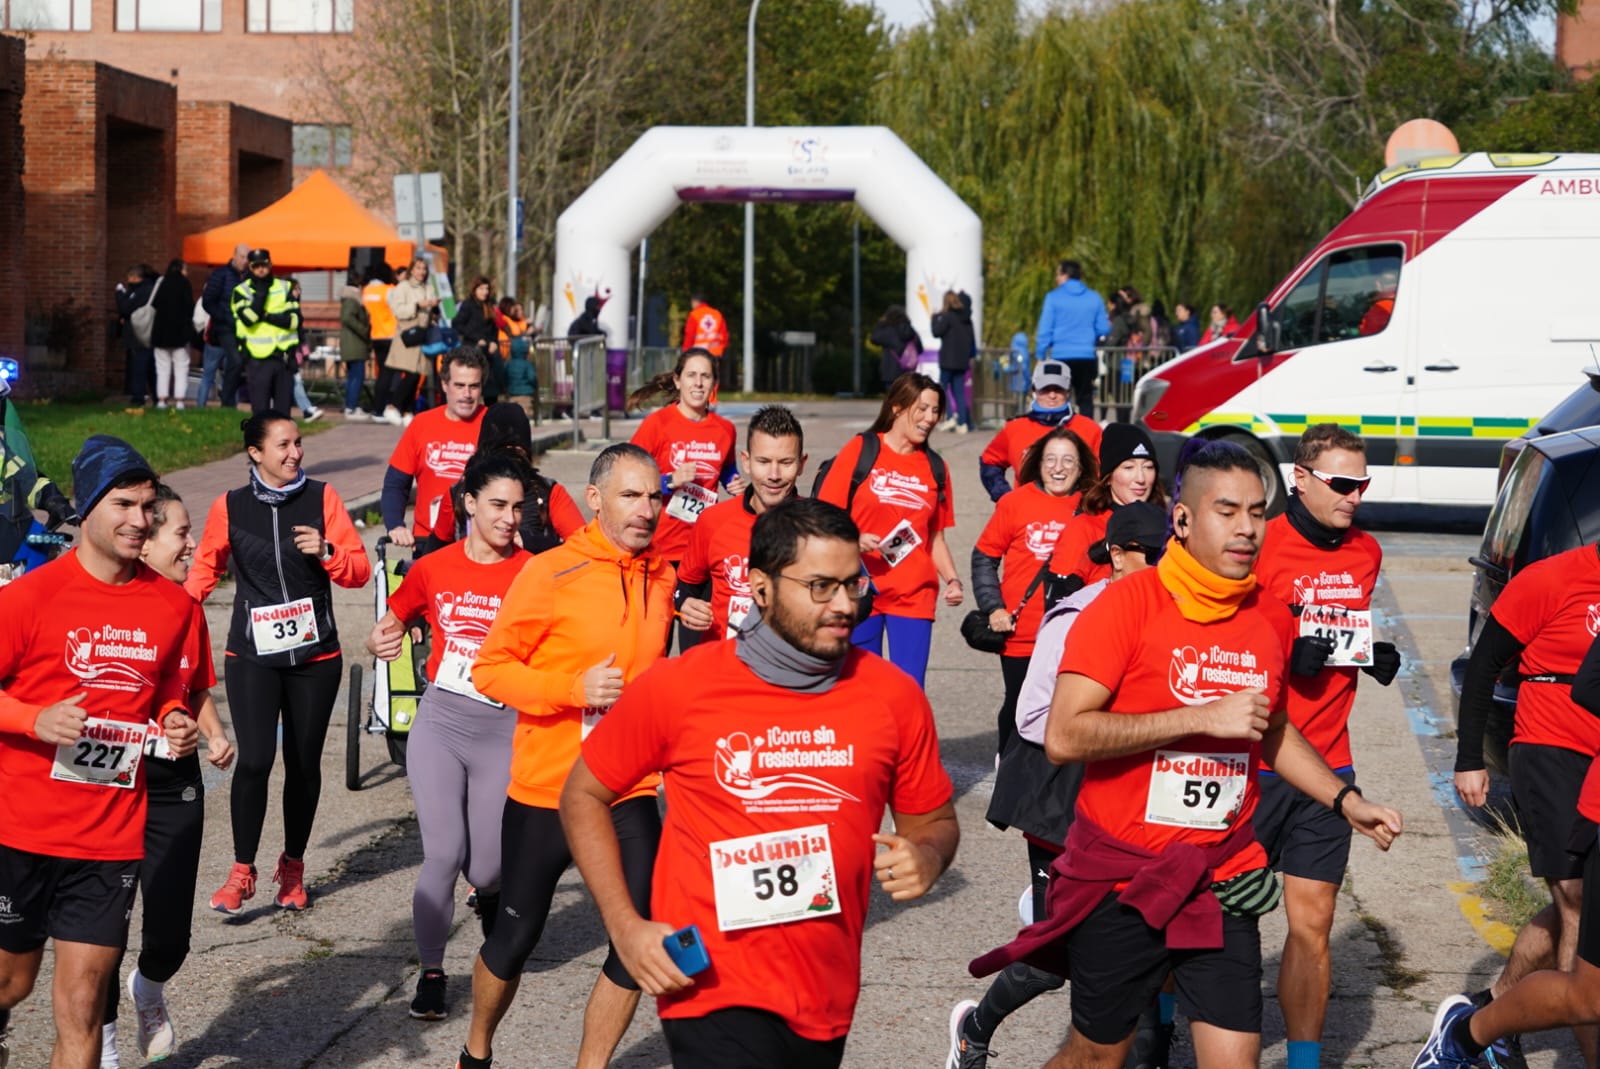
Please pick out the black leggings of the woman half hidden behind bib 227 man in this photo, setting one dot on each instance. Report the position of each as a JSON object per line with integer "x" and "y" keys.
{"x": 174, "y": 831}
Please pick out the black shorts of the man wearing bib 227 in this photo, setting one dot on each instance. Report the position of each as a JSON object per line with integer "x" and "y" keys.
{"x": 65, "y": 900}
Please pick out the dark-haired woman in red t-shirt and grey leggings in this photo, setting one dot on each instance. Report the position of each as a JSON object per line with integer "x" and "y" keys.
{"x": 458, "y": 759}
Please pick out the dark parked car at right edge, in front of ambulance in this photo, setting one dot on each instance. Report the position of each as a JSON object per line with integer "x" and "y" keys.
{"x": 1548, "y": 503}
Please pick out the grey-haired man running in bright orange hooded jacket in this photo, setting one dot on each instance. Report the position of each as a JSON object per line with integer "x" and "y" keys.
{"x": 578, "y": 623}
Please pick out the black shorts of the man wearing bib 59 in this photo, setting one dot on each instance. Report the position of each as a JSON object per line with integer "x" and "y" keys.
{"x": 1118, "y": 966}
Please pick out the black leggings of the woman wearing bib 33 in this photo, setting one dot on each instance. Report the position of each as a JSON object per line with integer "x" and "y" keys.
{"x": 257, "y": 697}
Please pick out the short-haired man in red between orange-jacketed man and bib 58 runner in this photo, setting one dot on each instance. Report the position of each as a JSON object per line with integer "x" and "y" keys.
{"x": 714, "y": 580}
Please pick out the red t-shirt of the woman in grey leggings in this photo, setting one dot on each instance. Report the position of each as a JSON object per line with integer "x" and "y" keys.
{"x": 460, "y": 599}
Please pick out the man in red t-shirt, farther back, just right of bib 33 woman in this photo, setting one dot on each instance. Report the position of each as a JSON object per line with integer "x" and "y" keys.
{"x": 434, "y": 450}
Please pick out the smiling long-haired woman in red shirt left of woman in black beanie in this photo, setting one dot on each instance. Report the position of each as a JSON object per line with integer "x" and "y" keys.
{"x": 1015, "y": 548}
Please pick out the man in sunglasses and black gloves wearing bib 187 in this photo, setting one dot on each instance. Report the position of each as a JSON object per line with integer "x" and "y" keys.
{"x": 1324, "y": 569}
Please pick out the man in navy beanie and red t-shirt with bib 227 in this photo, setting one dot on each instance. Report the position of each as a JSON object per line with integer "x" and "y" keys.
{"x": 87, "y": 670}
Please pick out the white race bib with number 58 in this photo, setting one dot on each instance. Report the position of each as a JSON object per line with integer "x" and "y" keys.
{"x": 774, "y": 879}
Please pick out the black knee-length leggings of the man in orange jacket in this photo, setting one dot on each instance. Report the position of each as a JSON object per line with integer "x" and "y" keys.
{"x": 534, "y": 859}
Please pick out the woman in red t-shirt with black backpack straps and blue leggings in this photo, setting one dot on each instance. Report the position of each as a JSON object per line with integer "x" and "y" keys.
{"x": 903, "y": 510}
